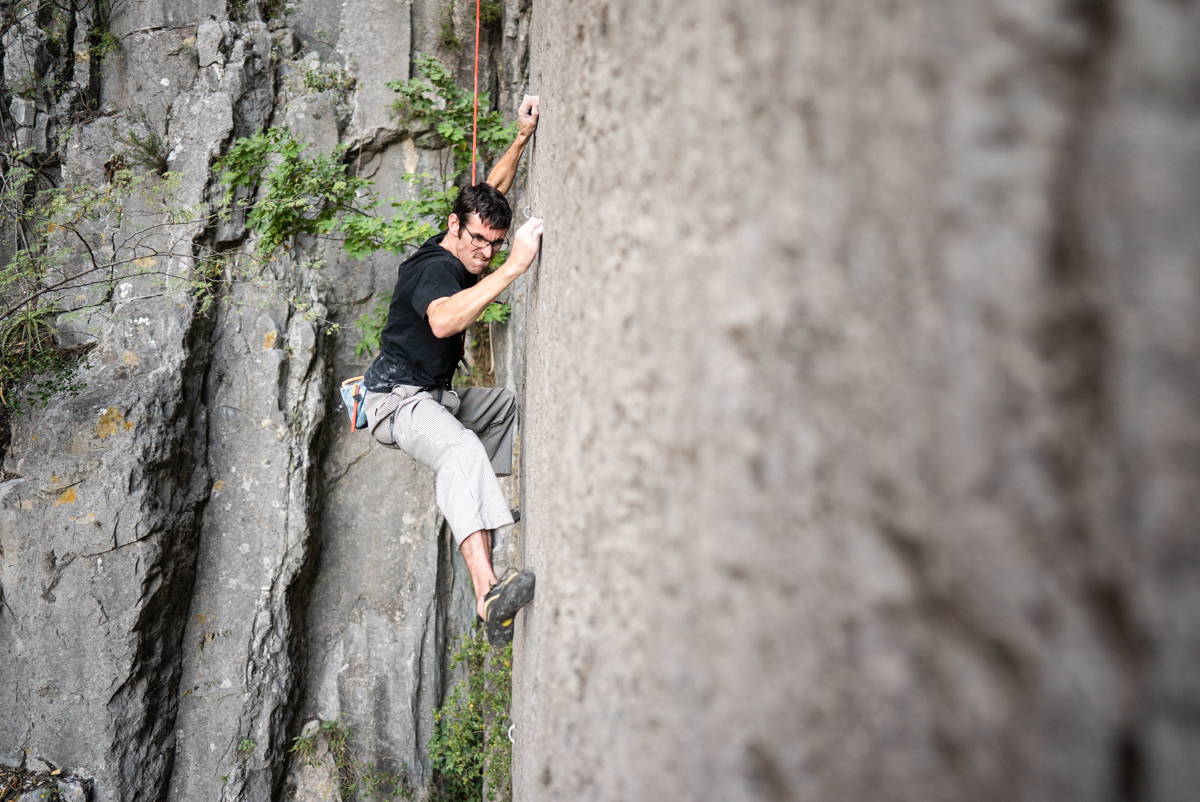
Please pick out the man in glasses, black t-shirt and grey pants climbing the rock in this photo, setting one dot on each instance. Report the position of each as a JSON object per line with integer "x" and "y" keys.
{"x": 465, "y": 435}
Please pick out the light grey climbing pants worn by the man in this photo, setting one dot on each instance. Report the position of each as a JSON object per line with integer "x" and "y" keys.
{"x": 466, "y": 439}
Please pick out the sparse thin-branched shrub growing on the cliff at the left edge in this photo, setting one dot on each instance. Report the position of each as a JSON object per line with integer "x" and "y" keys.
{"x": 74, "y": 248}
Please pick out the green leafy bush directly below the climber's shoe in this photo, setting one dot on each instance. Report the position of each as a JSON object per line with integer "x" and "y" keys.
{"x": 471, "y": 740}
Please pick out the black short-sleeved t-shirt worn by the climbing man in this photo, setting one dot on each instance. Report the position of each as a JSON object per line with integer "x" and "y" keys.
{"x": 410, "y": 354}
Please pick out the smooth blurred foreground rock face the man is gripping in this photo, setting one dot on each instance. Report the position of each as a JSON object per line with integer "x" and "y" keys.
{"x": 862, "y": 426}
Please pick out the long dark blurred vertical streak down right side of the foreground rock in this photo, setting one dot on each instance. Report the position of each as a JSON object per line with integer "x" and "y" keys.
{"x": 1076, "y": 342}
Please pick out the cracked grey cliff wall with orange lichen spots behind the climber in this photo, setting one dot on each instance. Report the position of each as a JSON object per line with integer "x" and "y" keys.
{"x": 197, "y": 559}
